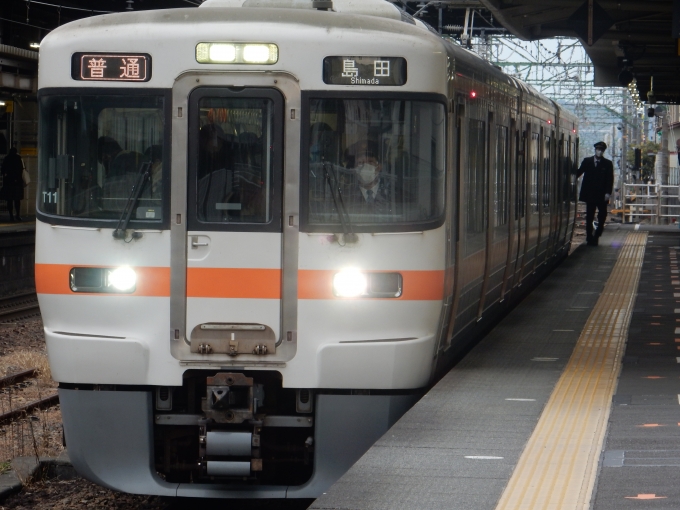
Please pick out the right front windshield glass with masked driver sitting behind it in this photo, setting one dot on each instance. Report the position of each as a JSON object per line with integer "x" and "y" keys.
{"x": 375, "y": 163}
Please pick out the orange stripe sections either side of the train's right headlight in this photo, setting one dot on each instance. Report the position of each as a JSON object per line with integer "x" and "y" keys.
{"x": 418, "y": 285}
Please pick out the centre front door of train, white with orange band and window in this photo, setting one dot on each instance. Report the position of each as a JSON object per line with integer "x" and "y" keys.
{"x": 234, "y": 198}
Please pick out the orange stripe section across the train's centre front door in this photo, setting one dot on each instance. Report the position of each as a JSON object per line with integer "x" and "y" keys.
{"x": 234, "y": 283}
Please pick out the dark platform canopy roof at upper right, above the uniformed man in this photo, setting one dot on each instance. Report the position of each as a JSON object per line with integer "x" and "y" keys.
{"x": 618, "y": 35}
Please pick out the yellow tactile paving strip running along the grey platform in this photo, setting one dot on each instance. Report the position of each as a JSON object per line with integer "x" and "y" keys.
{"x": 558, "y": 467}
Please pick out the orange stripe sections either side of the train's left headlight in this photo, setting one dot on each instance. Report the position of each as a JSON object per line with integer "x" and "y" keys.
{"x": 54, "y": 279}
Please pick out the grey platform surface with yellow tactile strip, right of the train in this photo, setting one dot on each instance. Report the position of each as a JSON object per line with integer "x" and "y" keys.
{"x": 571, "y": 400}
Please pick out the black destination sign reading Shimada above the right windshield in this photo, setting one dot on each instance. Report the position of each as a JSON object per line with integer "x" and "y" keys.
{"x": 378, "y": 71}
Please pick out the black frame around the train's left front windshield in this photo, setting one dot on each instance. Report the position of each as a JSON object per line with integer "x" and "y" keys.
{"x": 66, "y": 92}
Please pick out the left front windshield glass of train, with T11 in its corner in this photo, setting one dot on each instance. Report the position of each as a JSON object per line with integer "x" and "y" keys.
{"x": 94, "y": 149}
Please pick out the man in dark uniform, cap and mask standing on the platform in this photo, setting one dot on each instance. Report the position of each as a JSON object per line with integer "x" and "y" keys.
{"x": 596, "y": 189}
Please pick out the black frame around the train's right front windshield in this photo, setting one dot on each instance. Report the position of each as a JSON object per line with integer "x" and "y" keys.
{"x": 352, "y": 95}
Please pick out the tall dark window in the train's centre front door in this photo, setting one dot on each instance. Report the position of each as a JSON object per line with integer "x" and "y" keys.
{"x": 235, "y": 160}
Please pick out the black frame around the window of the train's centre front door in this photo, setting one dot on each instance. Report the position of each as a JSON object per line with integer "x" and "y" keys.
{"x": 275, "y": 224}
